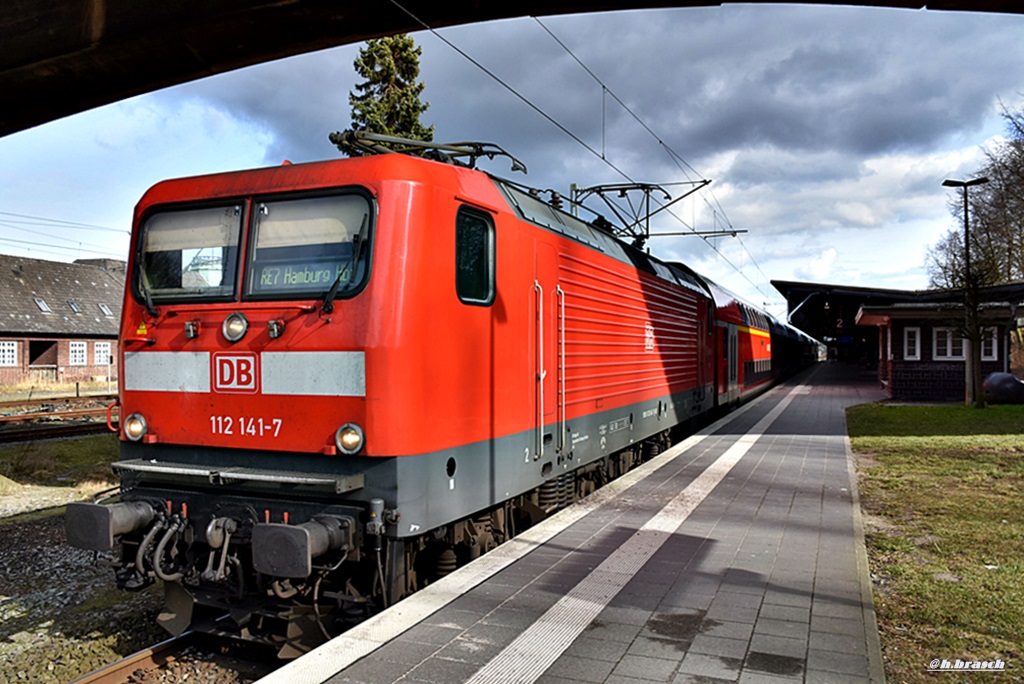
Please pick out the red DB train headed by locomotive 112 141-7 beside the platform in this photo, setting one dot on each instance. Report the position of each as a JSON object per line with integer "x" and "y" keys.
{"x": 340, "y": 380}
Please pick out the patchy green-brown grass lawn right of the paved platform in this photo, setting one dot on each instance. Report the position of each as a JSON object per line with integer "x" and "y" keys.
{"x": 943, "y": 491}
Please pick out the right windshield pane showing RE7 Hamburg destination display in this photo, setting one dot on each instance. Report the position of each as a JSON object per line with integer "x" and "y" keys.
{"x": 309, "y": 246}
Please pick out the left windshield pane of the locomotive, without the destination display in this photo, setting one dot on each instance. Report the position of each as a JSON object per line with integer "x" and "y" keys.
{"x": 191, "y": 253}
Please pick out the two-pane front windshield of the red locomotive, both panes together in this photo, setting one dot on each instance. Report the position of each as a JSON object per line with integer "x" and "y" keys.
{"x": 298, "y": 248}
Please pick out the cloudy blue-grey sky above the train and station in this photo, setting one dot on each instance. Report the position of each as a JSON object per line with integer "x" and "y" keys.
{"x": 827, "y": 132}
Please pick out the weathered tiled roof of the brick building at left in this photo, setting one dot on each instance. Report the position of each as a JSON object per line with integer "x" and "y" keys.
{"x": 76, "y": 295}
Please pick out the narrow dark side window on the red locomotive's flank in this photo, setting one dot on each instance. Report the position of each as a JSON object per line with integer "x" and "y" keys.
{"x": 475, "y": 258}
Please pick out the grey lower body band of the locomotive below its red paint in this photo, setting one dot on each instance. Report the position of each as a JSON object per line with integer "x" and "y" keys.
{"x": 429, "y": 491}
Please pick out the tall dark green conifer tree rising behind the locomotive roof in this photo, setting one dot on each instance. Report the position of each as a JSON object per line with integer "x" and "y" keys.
{"x": 388, "y": 101}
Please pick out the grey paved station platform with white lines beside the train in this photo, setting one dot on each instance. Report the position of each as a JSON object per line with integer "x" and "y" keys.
{"x": 737, "y": 557}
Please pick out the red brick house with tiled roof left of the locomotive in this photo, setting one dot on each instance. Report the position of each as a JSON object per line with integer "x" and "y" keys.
{"x": 59, "y": 322}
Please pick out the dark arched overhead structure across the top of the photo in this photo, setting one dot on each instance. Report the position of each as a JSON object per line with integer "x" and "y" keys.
{"x": 60, "y": 58}
